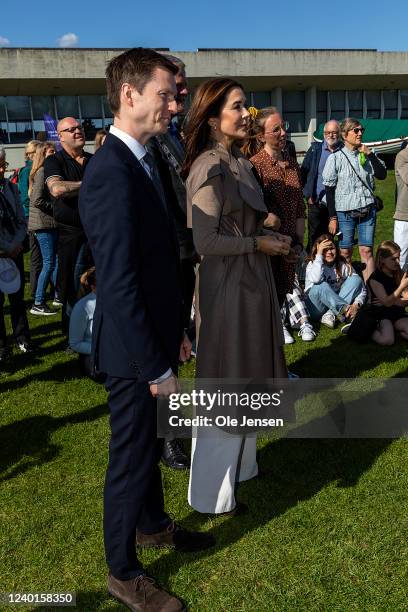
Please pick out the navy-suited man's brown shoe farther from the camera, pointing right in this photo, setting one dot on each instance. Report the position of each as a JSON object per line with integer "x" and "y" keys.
{"x": 176, "y": 537}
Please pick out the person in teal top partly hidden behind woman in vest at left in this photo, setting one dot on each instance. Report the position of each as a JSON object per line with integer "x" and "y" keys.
{"x": 23, "y": 186}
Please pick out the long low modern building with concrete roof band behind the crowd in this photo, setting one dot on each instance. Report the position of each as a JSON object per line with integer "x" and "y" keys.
{"x": 309, "y": 86}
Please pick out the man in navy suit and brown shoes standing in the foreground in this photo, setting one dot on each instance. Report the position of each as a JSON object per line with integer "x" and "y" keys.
{"x": 137, "y": 330}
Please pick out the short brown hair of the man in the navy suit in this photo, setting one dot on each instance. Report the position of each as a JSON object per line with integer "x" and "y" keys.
{"x": 135, "y": 67}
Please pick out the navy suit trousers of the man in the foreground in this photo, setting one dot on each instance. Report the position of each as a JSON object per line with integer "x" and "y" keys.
{"x": 133, "y": 496}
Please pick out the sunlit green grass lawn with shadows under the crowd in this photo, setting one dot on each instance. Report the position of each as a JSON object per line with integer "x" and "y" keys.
{"x": 327, "y": 528}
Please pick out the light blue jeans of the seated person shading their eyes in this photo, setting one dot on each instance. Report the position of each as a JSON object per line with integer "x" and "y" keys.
{"x": 322, "y": 297}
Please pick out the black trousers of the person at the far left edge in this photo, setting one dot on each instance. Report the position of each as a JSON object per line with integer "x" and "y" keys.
{"x": 17, "y": 310}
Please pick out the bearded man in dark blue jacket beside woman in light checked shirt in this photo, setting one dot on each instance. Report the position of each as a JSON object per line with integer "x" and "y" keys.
{"x": 312, "y": 180}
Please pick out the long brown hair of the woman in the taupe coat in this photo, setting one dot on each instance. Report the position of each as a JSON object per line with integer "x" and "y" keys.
{"x": 207, "y": 102}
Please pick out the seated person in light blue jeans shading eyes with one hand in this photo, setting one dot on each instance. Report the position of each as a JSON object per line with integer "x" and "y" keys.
{"x": 333, "y": 288}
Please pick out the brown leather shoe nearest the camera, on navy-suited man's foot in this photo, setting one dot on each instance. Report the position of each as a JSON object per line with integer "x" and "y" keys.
{"x": 143, "y": 594}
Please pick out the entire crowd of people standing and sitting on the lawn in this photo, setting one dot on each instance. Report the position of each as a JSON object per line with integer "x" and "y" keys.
{"x": 210, "y": 208}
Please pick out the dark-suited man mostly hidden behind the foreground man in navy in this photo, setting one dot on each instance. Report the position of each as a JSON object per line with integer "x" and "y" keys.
{"x": 168, "y": 152}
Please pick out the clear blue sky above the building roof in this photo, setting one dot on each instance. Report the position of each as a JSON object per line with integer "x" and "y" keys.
{"x": 184, "y": 25}
